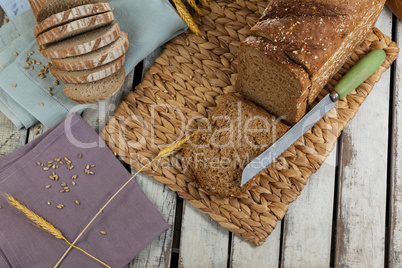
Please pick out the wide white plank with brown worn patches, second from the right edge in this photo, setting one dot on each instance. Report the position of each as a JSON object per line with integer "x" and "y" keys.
{"x": 363, "y": 180}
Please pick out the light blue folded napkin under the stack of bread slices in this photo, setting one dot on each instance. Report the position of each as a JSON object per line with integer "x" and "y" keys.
{"x": 149, "y": 24}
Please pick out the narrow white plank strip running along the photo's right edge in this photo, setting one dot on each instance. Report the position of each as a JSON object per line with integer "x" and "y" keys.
{"x": 395, "y": 258}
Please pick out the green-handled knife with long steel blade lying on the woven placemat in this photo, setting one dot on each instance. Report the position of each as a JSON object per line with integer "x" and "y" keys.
{"x": 357, "y": 75}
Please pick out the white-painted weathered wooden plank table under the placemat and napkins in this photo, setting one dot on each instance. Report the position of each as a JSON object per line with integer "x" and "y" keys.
{"x": 350, "y": 213}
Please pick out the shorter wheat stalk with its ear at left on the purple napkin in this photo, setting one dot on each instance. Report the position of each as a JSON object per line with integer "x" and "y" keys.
{"x": 44, "y": 224}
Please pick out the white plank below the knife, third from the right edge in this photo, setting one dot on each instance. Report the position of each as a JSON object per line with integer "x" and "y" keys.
{"x": 308, "y": 222}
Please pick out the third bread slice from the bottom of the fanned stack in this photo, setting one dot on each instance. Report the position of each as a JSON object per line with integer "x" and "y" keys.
{"x": 96, "y": 58}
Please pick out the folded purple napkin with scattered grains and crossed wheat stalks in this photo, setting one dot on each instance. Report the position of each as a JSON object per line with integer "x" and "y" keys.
{"x": 130, "y": 221}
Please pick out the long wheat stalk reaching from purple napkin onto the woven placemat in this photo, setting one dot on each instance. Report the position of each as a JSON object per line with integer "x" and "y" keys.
{"x": 168, "y": 151}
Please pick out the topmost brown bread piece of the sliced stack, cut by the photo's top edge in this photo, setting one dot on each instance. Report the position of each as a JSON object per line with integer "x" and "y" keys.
{"x": 43, "y": 9}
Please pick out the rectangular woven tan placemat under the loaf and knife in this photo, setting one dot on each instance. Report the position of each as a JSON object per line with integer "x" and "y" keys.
{"x": 187, "y": 81}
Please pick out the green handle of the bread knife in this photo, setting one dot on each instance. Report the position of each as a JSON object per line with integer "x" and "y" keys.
{"x": 360, "y": 72}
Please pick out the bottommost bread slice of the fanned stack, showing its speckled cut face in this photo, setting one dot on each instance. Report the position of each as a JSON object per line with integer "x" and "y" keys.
{"x": 95, "y": 91}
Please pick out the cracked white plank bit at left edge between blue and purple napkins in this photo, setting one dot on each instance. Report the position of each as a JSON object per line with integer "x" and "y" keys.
{"x": 10, "y": 137}
